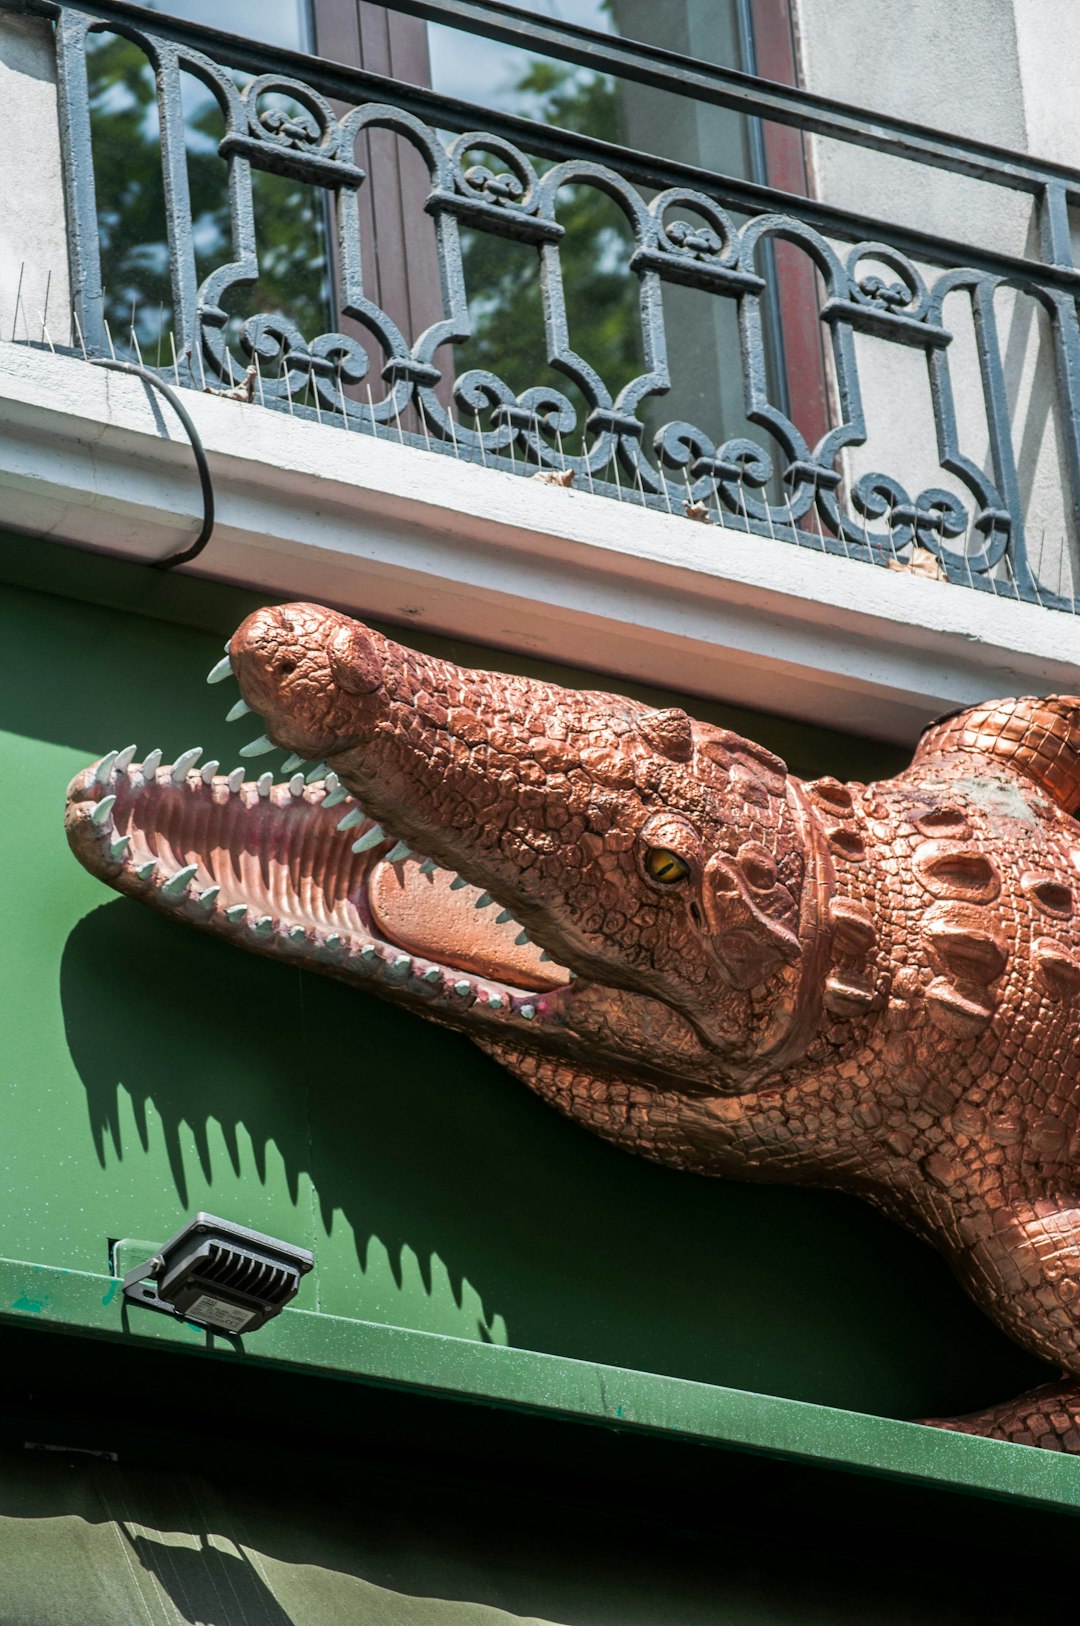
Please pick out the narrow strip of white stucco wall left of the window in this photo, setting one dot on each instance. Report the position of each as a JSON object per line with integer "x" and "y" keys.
{"x": 33, "y": 245}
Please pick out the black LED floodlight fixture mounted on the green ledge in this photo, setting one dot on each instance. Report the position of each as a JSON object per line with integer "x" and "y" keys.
{"x": 219, "y": 1276}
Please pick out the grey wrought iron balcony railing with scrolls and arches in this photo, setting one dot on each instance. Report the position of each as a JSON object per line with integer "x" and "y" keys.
{"x": 302, "y": 118}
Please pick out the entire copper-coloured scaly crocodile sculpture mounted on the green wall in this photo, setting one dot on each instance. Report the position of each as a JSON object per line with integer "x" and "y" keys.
{"x": 669, "y": 937}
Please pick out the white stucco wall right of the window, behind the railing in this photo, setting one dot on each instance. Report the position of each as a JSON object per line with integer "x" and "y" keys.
{"x": 1001, "y": 72}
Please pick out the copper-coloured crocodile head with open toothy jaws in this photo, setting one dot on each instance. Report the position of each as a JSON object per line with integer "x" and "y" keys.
{"x": 551, "y": 871}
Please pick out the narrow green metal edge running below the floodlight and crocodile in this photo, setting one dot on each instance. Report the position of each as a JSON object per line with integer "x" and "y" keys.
{"x": 560, "y": 1388}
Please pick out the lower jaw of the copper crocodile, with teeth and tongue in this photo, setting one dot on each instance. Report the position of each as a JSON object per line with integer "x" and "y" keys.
{"x": 266, "y": 866}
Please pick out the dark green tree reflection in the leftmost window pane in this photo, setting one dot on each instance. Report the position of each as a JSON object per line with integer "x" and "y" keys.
{"x": 133, "y": 217}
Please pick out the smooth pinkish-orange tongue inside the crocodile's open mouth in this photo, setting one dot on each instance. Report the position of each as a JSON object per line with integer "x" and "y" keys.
{"x": 424, "y": 916}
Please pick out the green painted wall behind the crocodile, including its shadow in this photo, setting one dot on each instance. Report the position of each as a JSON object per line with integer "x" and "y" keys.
{"x": 149, "y": 1072}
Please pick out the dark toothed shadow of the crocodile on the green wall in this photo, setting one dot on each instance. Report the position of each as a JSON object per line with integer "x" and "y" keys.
{"x": 425, "y": 1146}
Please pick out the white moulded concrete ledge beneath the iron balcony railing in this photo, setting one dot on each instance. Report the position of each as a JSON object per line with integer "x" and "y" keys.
{"x": 419, "y": 537}
